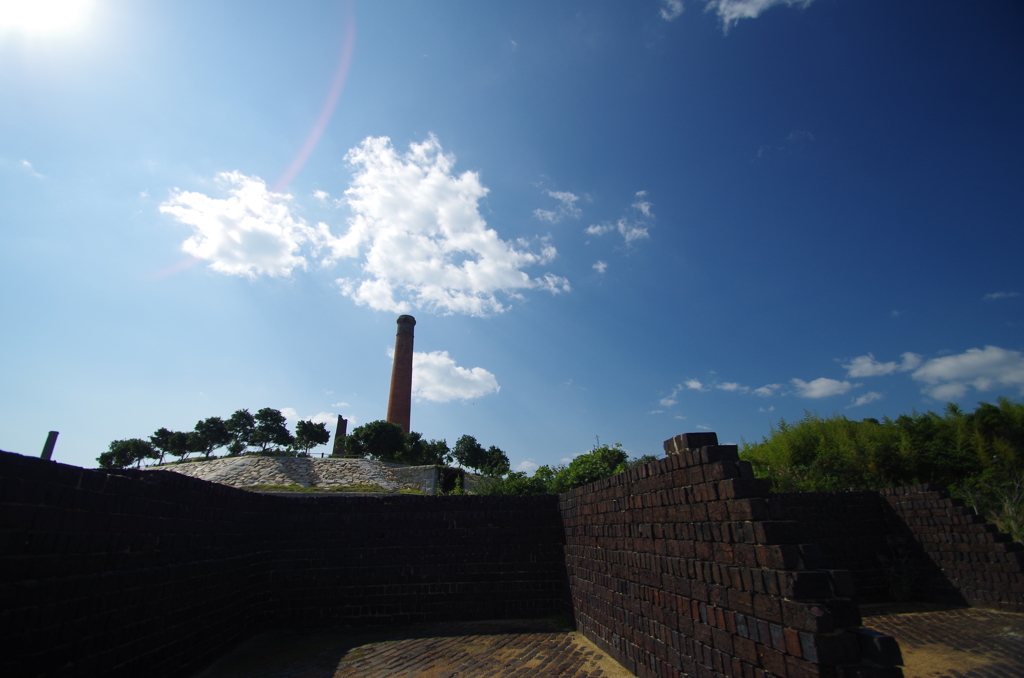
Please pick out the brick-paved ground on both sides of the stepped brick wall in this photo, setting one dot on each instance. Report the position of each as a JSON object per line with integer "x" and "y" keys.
{"x": 937, "y": 643}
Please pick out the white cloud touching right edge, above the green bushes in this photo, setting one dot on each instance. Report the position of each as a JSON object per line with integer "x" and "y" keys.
{"x": 984, "y": 369}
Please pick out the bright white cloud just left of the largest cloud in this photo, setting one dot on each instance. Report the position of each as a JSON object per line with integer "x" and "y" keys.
{"x": 250, "y": 233}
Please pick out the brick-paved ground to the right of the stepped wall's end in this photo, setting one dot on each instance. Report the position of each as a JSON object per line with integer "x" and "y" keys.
{"x": 954, "y": 643}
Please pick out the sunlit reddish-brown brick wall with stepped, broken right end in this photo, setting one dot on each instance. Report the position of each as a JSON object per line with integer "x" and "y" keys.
{"x": 688, "y": 567}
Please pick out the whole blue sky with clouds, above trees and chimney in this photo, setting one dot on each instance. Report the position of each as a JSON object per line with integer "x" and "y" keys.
{"x": 615, "y": 220}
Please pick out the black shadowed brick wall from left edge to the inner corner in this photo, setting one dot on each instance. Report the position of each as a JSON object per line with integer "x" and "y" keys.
{"x": 156, "y": 574}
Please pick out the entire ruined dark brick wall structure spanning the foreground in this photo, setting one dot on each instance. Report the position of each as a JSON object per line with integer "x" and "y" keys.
{"x": 682, "y": 567}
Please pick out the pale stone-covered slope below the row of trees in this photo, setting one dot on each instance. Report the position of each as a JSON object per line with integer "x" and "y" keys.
{"x": 326, "y": 474}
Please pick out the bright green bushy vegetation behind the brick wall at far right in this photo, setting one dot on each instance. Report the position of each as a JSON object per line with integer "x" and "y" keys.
{"x": 979, "y": 456}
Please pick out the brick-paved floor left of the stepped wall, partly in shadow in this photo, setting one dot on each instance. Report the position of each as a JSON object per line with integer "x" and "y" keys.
{"x": 440, "y": 651}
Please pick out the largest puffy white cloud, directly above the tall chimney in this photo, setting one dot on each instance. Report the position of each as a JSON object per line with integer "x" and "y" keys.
{"x": 425, "y": 243}
